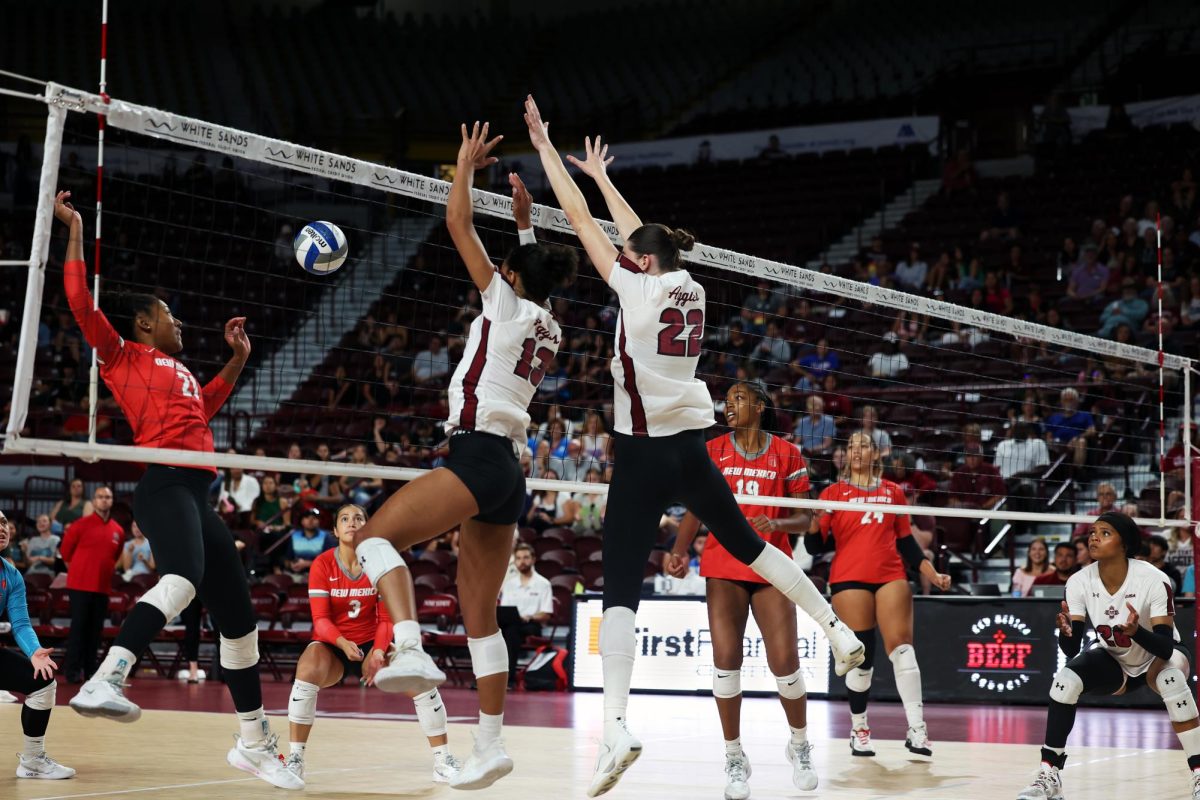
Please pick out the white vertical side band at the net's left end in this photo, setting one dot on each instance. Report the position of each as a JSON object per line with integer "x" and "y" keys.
{"x": 39, "y": 255}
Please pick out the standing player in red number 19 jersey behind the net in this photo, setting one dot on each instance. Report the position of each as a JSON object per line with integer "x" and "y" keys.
{"x": 753, "y": 462}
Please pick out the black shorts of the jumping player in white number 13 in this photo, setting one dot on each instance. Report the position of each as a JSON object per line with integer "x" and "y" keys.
{"x": 489, "y": 467}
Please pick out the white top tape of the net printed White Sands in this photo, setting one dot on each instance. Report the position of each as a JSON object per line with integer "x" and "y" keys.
{"x": 253, "y": 147}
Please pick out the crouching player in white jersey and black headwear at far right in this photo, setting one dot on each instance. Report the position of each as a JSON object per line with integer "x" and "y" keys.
{"x": 1142, "y": 651}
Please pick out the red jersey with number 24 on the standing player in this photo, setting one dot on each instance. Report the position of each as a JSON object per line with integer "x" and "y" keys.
{"x": 866, "y": 540}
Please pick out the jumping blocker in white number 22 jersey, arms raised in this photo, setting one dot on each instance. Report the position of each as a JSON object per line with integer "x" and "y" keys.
{"x": 661, "y": 410}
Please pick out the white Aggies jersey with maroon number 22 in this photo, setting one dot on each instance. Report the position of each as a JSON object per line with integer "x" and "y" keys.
{"x": 659, "y": 334}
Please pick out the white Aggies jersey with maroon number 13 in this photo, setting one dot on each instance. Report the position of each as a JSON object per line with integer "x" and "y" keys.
{"x": 508, "y": 350}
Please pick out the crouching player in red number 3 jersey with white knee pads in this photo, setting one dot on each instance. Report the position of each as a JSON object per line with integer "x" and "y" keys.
{"x": 351, "y": 635}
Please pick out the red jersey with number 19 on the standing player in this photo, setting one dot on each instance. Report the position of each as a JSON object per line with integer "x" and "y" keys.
{"x": 778, "y": 472}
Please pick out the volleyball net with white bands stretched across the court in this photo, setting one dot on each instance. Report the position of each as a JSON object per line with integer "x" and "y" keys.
{"x": 349, "y": 371}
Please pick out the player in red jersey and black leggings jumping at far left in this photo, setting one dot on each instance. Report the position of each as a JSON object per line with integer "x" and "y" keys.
{"x": 195, "y": 551}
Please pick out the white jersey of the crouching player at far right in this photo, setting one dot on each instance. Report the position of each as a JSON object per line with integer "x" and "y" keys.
{"x": 1147, "y": 590}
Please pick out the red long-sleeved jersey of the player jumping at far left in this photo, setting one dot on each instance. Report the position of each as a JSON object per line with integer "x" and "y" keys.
{"x": 163, "y": 401}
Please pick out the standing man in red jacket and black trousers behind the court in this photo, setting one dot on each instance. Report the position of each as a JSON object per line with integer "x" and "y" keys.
{"x": 91, "y": 549}
